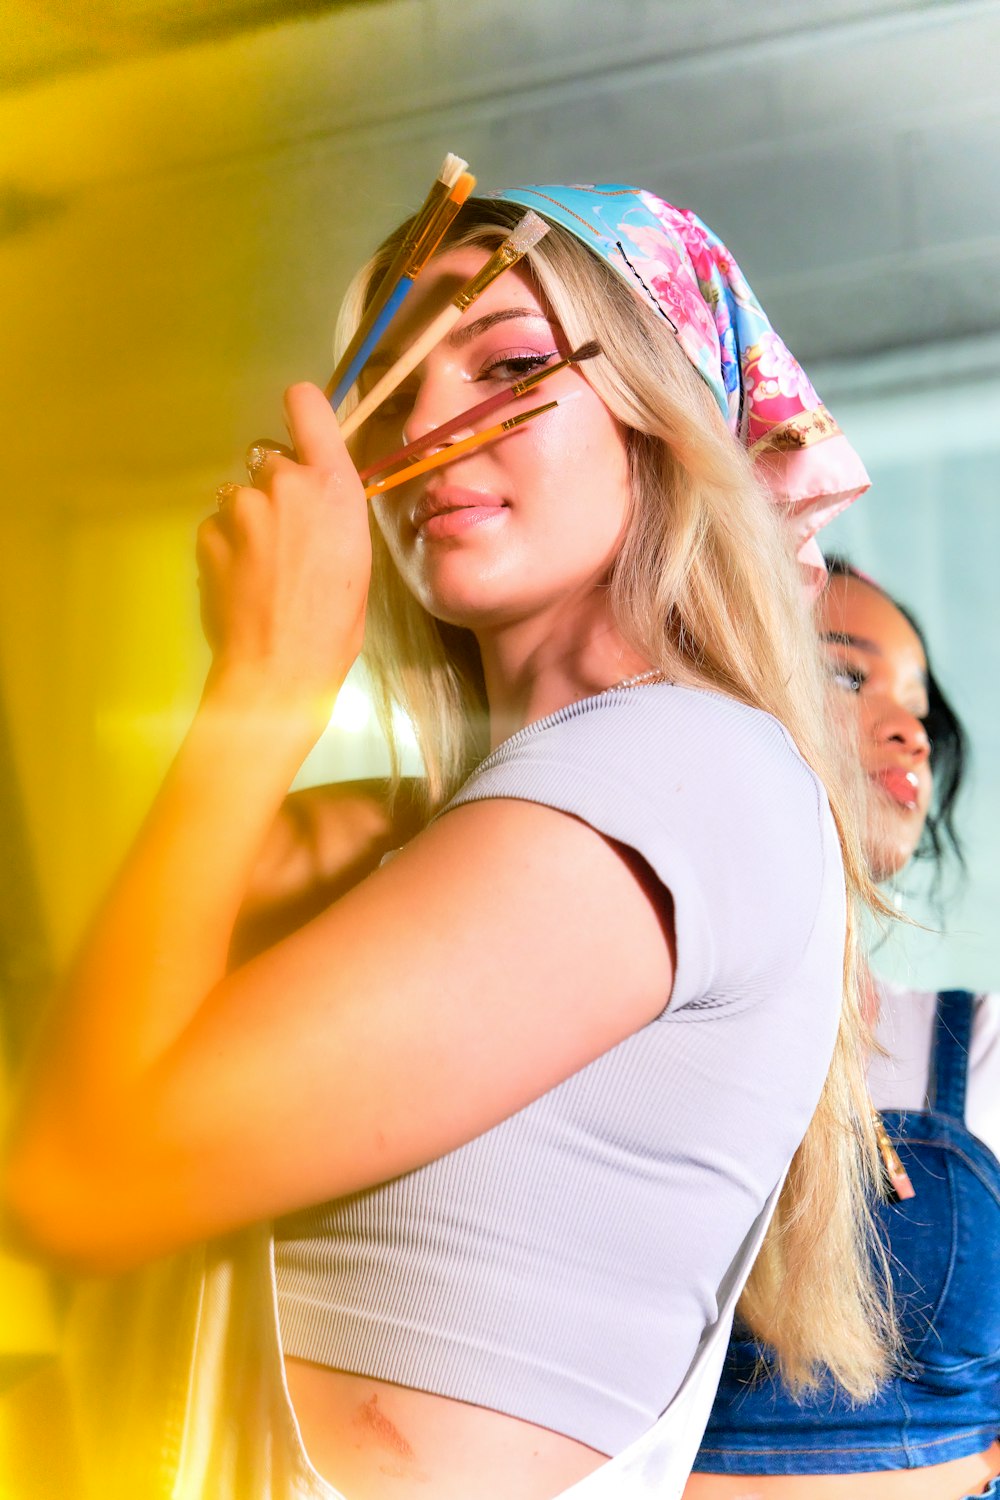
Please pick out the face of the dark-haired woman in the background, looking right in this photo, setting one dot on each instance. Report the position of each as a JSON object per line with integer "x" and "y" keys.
{"x": 879, "y": 662}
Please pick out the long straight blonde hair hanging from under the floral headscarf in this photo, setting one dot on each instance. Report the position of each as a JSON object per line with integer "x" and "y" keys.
{"x": 707, "y": 590}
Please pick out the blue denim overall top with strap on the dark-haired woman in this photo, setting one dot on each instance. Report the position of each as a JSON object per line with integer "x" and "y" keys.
{"x": 945, "y": 1247}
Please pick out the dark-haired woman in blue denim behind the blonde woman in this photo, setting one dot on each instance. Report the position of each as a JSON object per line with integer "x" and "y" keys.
{"x": 932, "y": 1435}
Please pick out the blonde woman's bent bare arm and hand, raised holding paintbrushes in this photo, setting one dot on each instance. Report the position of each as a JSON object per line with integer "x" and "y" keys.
{"x": 501, "y": 952}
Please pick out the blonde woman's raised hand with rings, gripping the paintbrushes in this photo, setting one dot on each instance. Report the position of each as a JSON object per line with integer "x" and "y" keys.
{"x": 286, "y": 566}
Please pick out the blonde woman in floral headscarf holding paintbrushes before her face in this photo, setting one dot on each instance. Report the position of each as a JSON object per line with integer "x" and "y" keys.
{"x": 522, "y": 1097}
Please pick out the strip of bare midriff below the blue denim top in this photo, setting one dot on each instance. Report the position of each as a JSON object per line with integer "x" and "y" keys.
{"x": 951, "y": 1481}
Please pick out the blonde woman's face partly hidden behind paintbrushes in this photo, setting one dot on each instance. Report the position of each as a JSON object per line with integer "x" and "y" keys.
{"x": 522, "y": 526}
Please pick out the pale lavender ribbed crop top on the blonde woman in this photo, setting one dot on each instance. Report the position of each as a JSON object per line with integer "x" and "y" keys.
{"x": 561, "y": 1267}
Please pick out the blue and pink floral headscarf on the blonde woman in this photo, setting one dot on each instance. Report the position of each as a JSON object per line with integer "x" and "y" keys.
{"x": 675, "y": 263}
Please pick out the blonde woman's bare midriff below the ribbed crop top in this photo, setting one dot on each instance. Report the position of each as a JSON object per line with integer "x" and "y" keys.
{"x": 374, "y": 1441}
